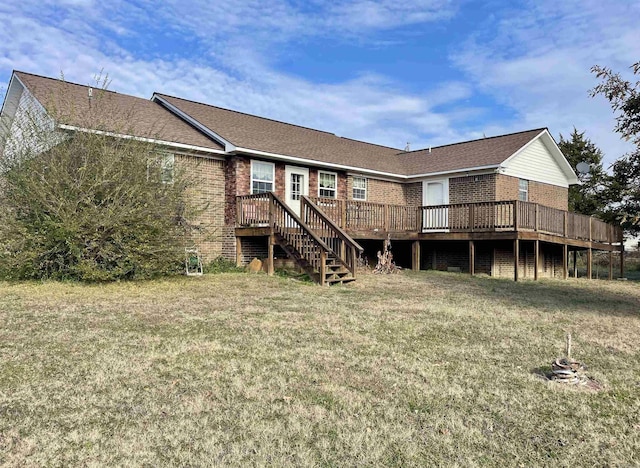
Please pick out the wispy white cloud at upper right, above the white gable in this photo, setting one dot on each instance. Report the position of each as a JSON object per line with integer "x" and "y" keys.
{"x": 537, "y": 61}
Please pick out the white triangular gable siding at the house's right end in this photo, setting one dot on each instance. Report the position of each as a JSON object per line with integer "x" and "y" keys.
{"x": 535, "y": 162}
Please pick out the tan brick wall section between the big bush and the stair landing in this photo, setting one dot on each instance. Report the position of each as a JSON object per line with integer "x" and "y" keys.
{"x": 214, "y": 238}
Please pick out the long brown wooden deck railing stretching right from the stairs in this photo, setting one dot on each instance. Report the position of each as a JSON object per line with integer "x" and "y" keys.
{"x": 353, "y": 216}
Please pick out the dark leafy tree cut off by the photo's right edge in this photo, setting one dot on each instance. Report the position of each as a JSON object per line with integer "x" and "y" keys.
{"x": 624, "y": 97}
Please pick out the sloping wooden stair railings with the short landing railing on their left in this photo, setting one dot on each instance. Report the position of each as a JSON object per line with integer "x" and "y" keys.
{"x": 316, "y": 240}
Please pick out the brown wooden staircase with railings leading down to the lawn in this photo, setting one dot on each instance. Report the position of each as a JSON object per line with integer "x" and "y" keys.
{"x": 321, "y": 248}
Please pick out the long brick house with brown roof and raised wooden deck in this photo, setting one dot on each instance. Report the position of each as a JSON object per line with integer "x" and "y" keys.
{"x": 495, "y": 205}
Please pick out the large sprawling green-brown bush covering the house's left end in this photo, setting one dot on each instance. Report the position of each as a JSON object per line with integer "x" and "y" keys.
{"x": 86, "y": 205}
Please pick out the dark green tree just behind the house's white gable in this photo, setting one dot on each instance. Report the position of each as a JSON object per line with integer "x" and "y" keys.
{"x": 590, "y": 197}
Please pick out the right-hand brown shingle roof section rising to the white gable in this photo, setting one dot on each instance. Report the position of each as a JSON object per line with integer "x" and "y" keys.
{"x": 490, "y": 151}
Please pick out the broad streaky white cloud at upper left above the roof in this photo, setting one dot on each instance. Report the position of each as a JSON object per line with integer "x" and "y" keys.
{"x": 367, "y": 106}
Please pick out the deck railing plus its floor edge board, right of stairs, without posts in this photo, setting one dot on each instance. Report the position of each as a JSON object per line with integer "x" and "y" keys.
{"x": 501, "y": 220}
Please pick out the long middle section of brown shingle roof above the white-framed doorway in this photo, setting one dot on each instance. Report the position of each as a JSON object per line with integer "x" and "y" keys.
{"x": 261, "y": 134}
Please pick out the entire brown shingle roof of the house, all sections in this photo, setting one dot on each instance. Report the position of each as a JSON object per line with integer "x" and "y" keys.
{"x": 122, "y": 113}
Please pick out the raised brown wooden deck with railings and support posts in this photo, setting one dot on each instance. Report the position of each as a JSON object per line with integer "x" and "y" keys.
{"x": 486, "y": 221}
